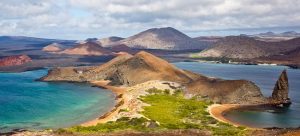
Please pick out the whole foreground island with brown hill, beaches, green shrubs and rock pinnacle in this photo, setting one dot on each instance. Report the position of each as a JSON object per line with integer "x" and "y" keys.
{"x": 154, "y": 97}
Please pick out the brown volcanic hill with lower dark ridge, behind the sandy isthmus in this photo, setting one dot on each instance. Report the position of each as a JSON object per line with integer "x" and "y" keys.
{"x": 130, "y": 70}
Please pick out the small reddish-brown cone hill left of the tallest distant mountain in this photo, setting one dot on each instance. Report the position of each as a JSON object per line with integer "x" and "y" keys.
{"x": 88, "y": 48}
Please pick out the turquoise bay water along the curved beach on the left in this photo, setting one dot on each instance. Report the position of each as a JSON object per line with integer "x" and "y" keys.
{"x": 29, "y": 104}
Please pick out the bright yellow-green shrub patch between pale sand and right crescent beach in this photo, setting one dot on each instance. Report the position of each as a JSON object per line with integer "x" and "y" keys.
{"x": 176, "y": 112}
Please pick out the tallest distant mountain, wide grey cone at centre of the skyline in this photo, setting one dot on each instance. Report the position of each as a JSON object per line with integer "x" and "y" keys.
{"x": 162, "y": 38}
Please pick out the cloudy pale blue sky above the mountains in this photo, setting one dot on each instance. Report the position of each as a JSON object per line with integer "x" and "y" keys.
{"x": 81, "y": 19}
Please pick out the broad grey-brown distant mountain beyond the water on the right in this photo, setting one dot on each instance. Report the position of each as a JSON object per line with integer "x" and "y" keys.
{"x": 242, "y": 47}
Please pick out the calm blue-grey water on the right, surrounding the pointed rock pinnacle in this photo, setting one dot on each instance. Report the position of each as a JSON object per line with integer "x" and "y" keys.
{"x": 265, "y": 77}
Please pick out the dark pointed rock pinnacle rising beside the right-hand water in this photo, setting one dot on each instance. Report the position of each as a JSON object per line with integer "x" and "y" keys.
{"x": 281, "y": 90}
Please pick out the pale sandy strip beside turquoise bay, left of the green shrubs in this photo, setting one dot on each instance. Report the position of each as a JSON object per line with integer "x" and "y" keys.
{"x": 127, "y": 98}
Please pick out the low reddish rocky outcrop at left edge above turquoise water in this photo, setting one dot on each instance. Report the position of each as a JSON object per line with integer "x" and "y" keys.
{"x": 15, "y": 60}
